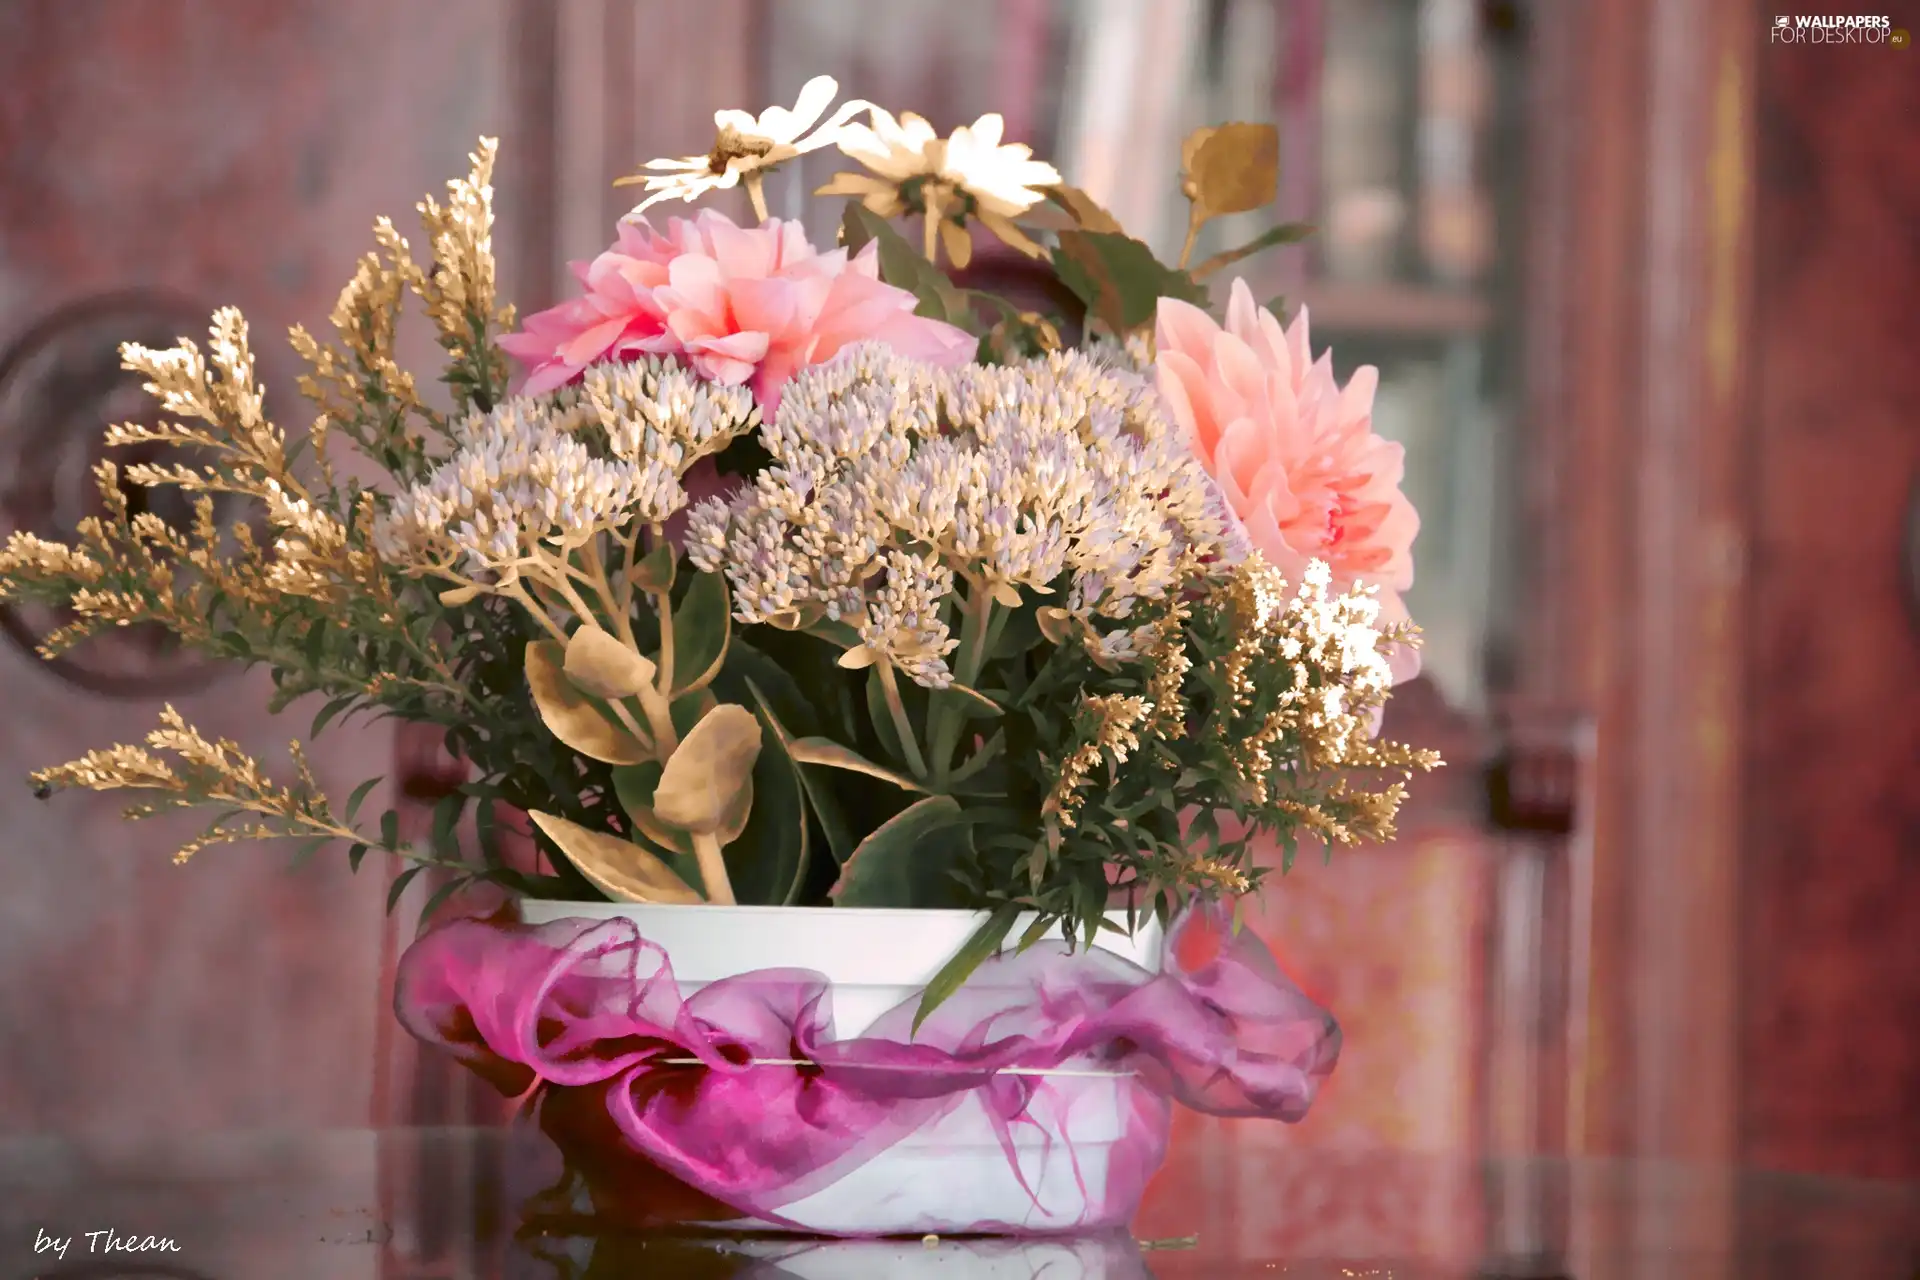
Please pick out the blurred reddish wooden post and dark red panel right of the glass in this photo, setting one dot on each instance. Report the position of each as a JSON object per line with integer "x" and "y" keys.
{"x": 1721, "y": 452}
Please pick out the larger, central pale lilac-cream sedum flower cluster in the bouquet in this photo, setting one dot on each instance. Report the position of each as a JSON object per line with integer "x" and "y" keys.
{"x": 892, "y": 481}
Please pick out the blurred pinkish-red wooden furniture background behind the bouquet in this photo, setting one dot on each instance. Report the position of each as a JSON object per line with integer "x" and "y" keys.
{"x": 1641, "y": 289}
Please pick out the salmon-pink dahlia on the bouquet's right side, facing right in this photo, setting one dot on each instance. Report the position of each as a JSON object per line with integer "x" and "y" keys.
{"x": 1291, "y": 448}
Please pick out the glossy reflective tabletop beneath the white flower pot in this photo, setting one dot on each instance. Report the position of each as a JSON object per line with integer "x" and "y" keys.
{"x": 468, "y": 1202}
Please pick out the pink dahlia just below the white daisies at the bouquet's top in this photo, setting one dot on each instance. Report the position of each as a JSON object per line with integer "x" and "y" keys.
{"x": 738, "y": 304}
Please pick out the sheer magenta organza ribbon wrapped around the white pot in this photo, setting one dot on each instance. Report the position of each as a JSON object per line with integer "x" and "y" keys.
{"x": 742, "y": 1097}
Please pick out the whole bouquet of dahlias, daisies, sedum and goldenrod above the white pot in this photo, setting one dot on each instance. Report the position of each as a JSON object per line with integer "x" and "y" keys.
{"x": 794, "y": 577}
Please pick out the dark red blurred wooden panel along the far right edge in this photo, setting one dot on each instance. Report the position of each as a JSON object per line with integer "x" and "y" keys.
{"x": 1831, "y": 959}
